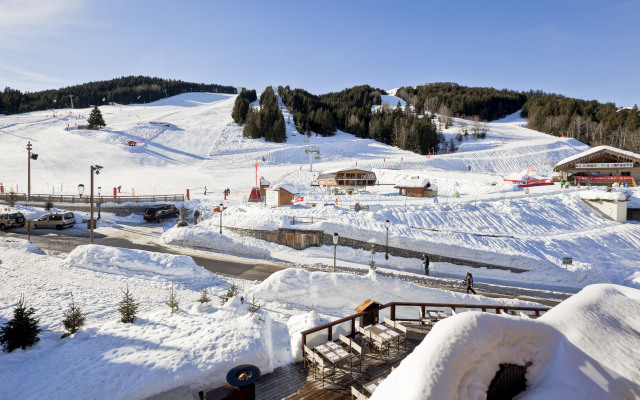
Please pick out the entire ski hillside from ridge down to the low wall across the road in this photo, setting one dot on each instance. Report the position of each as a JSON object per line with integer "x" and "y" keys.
{"x": 190, "y": 141}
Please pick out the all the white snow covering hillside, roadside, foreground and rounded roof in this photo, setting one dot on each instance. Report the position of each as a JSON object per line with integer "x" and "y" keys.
{"x": 479, "y": 217}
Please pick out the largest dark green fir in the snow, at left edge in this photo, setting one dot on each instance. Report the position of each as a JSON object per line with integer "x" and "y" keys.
{"x": 22, "y": 330}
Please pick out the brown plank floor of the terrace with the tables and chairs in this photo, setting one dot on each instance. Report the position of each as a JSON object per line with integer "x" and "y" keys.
{"x": 295, "y": 382}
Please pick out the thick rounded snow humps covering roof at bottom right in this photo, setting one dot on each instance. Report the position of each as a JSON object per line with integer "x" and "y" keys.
{"x": 460, "y": 356}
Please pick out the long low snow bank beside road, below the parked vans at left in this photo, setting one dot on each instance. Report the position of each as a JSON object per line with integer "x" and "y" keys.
{"x": 124, "y": 261}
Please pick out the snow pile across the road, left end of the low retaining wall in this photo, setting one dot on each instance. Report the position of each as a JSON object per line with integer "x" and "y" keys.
{"x": 206, "y": 235}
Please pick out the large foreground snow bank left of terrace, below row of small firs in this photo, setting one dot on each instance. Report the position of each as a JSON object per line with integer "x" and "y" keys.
{"x": 158, "y": 352}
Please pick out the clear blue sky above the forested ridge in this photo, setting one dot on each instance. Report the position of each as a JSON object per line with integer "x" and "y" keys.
{"x": 584, "y": 49}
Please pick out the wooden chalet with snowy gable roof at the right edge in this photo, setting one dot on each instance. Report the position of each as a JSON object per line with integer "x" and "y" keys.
{"x": 602, "y": 165}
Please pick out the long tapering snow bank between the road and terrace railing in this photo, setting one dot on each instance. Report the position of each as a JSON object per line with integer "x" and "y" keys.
{"x": 338, "y": 291}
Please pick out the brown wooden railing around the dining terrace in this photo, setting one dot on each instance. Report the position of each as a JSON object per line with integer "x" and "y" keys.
{"x": 372, "y": 315}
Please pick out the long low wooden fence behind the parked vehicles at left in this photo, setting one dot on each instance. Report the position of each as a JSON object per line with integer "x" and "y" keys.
{"x": 42, "y": 198}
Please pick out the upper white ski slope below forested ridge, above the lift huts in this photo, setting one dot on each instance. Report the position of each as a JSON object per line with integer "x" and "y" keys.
{"x": 202, "y": 146}
